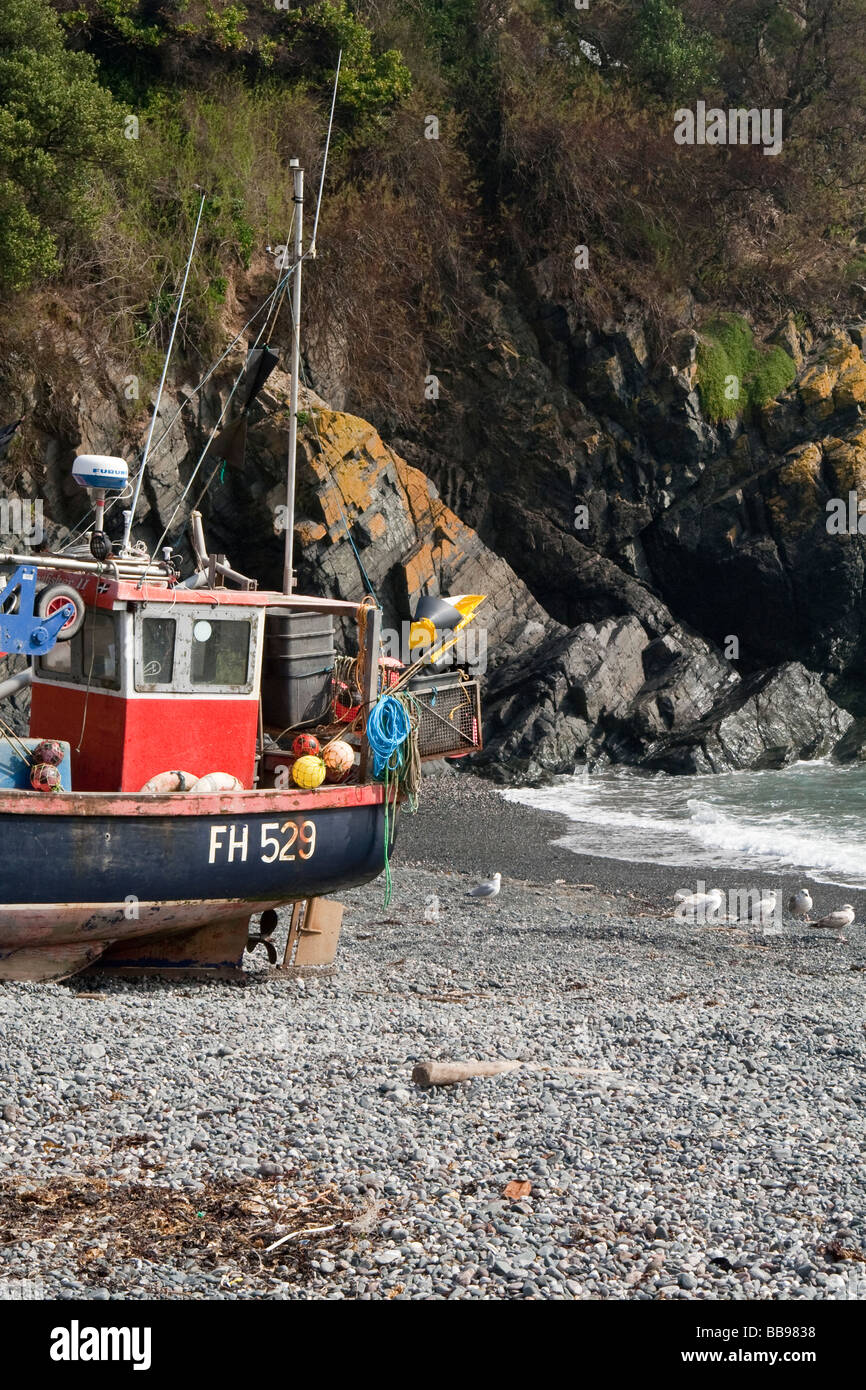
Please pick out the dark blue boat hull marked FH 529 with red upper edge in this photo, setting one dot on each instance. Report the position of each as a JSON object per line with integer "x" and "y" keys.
{"x": 84, "y": 876}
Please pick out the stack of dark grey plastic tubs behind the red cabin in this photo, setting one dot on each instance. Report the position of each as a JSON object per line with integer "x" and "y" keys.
{"x": 298, "y": 669}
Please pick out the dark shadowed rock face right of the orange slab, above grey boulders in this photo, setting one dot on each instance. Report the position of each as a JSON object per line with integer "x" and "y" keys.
{"x": 726, "y": 525}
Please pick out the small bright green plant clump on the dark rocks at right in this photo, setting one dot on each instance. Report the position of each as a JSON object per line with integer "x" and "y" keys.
{"x": 736, "y": 376}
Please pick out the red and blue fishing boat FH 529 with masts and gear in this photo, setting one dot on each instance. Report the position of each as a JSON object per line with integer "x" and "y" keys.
{"x": 155, "y": 808}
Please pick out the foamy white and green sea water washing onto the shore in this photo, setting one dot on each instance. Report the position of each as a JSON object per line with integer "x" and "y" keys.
{"x": 810, "y": 818}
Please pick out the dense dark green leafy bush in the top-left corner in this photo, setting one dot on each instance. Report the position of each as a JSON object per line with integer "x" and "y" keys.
{"x": 58, "y": 131}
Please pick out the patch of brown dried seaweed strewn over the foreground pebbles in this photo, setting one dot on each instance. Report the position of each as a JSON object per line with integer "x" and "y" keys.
{"x": 227, "y": 1225}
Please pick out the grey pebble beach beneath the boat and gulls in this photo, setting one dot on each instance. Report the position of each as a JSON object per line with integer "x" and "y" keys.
{"x": 689, "y": 1125}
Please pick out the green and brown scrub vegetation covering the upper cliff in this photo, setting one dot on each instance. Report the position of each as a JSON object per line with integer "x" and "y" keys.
{"x": 554, "y": 130}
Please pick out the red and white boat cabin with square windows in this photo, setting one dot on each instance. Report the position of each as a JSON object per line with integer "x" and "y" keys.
{"x": 158, "y": 679}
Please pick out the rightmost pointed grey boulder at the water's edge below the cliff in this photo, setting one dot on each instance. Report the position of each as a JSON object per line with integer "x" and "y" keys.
{"x": 769, "y": 721}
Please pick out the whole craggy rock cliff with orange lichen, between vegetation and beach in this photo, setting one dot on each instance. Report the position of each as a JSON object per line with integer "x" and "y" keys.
{"x": 664, "y": 591}
